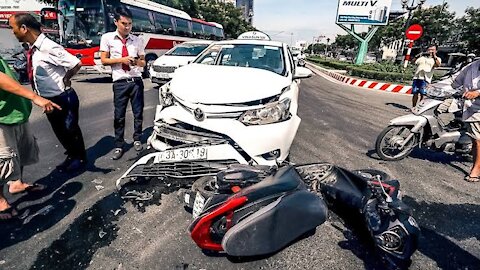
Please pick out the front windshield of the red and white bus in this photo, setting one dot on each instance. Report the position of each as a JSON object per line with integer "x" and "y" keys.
{"x": 83, "y": 22}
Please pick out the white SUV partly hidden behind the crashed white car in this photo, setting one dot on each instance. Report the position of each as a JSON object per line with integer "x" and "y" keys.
{"x": 163, "y": 68}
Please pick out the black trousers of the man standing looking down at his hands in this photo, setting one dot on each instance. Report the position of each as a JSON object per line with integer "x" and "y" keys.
{"x": 124, "y": 91}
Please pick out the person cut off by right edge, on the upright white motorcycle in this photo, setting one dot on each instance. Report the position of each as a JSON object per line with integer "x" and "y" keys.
{"x": 469, "y": 81}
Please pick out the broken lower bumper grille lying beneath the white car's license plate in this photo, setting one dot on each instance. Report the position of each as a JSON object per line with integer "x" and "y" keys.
{"x": 180, "y": 169}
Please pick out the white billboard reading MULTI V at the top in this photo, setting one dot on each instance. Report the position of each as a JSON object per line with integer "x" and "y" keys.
{"x": 363, "y": 12}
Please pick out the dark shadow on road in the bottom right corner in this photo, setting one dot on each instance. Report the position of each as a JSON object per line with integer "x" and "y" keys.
{"x": 457, "y": 221}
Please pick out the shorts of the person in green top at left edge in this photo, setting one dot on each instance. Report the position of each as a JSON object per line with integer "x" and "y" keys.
{"x": 18, "y": 148}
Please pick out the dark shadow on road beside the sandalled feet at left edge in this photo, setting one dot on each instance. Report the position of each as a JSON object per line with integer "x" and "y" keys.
{"x": 41, "y": 216}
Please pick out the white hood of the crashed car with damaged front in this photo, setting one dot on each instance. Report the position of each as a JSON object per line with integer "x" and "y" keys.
{"x": 207, "y": 84}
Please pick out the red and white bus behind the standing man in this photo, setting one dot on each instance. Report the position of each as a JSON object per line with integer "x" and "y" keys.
{"x": 83, "y": 22}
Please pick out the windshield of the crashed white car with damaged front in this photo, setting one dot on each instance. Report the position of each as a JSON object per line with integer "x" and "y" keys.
{"x": 245, "y": 55}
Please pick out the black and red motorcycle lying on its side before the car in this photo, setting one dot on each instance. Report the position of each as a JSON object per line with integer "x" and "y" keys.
{"x": 246, "y": 211}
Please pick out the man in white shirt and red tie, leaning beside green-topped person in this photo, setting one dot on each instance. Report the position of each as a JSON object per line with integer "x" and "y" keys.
{"x": 50, "y": 68}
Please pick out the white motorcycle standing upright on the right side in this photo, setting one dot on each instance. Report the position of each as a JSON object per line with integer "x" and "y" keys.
{"x": 426, "y": 126}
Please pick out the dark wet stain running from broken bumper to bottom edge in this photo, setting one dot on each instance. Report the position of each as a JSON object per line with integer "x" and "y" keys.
{"x": 98, "y": 227}
